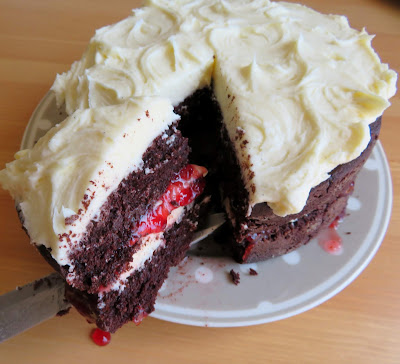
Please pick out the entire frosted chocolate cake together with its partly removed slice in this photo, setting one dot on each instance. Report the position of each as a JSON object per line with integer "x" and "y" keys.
{"x": 282, "y": 104}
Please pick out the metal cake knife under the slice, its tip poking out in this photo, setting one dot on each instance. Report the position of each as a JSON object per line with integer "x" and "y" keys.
{"x": 43, "y": 299}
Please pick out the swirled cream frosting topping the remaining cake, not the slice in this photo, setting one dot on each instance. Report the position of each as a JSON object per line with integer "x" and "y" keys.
{"x": 297, "y": 89}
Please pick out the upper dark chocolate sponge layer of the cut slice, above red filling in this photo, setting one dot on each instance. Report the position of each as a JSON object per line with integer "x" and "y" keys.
{"x": 105, "y": 252}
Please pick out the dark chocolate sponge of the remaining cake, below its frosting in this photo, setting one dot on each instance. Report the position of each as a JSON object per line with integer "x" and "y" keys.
{"x": 262, "y": 235}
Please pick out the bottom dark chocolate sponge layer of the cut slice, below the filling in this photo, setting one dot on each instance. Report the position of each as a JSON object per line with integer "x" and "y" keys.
{"x": 113, "y": 309}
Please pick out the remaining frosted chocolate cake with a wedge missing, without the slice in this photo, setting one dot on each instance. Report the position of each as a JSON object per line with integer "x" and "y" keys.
{"x": 292, "y": 91}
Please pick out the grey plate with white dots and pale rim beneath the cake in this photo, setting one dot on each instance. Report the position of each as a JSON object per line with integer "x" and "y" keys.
{"x": 200, "y": 292}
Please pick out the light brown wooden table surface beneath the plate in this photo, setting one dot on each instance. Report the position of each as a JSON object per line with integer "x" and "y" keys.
{"x": 360, "y": 325}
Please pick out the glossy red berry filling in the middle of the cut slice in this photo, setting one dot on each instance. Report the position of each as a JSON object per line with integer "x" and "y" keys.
{"x": 183, "y": 189}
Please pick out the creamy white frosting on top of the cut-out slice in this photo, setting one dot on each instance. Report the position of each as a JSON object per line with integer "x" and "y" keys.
{"x": 73, "y": 169}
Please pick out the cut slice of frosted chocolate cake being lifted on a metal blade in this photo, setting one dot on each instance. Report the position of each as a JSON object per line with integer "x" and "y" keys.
{"x": 109, "y": 199}
